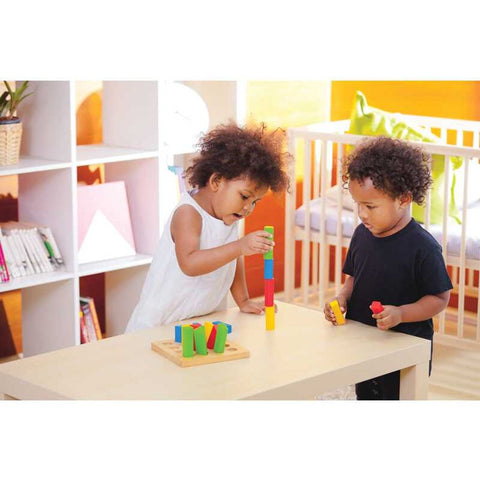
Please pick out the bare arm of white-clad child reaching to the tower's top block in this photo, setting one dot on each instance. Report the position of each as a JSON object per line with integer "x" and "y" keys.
{"x": 186, "y": 228}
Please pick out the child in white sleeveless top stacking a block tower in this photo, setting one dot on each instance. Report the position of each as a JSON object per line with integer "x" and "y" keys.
{"x": 200, "y": 257}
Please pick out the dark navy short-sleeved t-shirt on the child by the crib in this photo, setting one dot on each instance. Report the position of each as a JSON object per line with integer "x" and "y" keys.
{"x": 395, "y": 270}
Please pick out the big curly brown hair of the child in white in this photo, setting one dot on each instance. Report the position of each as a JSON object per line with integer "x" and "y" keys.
{"x": 232, "y": 152}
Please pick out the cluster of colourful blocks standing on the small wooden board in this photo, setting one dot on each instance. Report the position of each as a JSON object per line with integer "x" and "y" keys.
{"x": 198, "y": 338}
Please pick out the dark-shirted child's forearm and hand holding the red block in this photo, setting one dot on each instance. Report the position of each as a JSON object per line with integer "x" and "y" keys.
{"x": 426, "y": 307}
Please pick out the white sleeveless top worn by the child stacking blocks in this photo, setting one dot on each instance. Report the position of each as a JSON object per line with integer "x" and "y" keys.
{"x": 168, "y": 294}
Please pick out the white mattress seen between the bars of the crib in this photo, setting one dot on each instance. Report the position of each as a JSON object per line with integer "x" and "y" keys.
{"x": 454, "y": 231}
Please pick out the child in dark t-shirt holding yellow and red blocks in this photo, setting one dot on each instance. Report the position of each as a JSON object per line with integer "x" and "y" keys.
{"x": 391, "y": 258}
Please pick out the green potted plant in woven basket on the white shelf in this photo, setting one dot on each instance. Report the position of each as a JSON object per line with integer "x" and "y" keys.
{"x": 10, "y": 124}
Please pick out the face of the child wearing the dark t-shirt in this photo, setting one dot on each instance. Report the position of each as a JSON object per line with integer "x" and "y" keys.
{"x": 380, "y": 213}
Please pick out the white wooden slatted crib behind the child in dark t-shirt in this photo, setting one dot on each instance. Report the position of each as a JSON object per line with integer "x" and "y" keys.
{"x": 324, "y": 223}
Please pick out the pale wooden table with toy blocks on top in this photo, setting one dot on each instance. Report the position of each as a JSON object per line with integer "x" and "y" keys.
{"x": 303, "y": 357}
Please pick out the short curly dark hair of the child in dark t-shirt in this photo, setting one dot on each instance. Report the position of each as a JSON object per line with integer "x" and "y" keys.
{"x": 396, "y": 167}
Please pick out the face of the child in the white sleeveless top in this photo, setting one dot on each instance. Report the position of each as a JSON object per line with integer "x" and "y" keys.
{"x": 235, "y": 199}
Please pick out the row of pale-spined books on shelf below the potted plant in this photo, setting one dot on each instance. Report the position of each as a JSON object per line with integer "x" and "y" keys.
{"x": 27, "y": 249}
